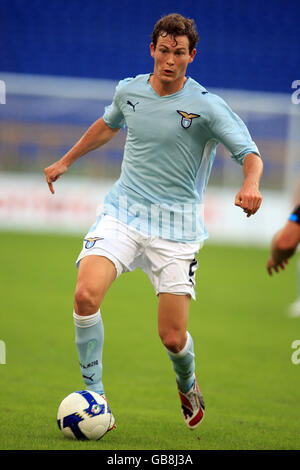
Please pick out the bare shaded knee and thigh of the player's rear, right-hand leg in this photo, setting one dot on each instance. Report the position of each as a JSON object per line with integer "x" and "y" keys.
{"x": 173, "y": 312}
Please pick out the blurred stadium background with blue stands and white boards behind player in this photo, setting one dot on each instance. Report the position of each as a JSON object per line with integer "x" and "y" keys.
{"x": 60, "y": 62}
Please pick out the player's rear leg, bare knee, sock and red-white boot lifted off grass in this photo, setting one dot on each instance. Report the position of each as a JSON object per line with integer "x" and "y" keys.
{"x": 172, "y": 327}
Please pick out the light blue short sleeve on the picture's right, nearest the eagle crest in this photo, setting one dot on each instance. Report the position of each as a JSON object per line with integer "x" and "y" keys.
{"x": 228, "y": 128}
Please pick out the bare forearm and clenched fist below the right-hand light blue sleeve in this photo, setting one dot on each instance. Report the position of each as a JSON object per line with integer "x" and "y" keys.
{"x": 249, "y": 197}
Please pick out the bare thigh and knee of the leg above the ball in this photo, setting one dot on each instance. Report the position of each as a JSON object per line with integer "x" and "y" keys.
{"x": 95, "y": 276}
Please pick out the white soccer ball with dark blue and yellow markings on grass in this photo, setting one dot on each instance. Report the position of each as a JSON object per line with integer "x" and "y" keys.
{"x": 84, "y": 415}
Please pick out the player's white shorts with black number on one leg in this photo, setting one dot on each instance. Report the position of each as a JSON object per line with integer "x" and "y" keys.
{"x": 170, "y": 266}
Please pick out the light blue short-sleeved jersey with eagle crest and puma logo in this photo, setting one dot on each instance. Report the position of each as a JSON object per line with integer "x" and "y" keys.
{"x": 169, "y": 151}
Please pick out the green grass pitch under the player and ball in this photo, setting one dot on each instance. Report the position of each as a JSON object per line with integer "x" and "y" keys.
{"x": 242, "y": 338}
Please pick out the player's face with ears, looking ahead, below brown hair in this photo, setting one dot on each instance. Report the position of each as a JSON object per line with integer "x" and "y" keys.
{"x": 171, "y": 58}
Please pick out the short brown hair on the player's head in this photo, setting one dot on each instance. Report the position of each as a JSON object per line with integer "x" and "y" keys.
{"x": 176, "y": 25}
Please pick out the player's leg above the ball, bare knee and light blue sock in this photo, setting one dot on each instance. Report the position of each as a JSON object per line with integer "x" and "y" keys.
{"x": 95, "y": 275}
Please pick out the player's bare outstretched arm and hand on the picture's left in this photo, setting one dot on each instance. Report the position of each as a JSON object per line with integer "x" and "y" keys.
{"x": 97, "y": 135}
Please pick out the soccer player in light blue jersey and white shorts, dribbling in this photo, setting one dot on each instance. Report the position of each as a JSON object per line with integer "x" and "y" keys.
{"x": 153, "y": 214}
